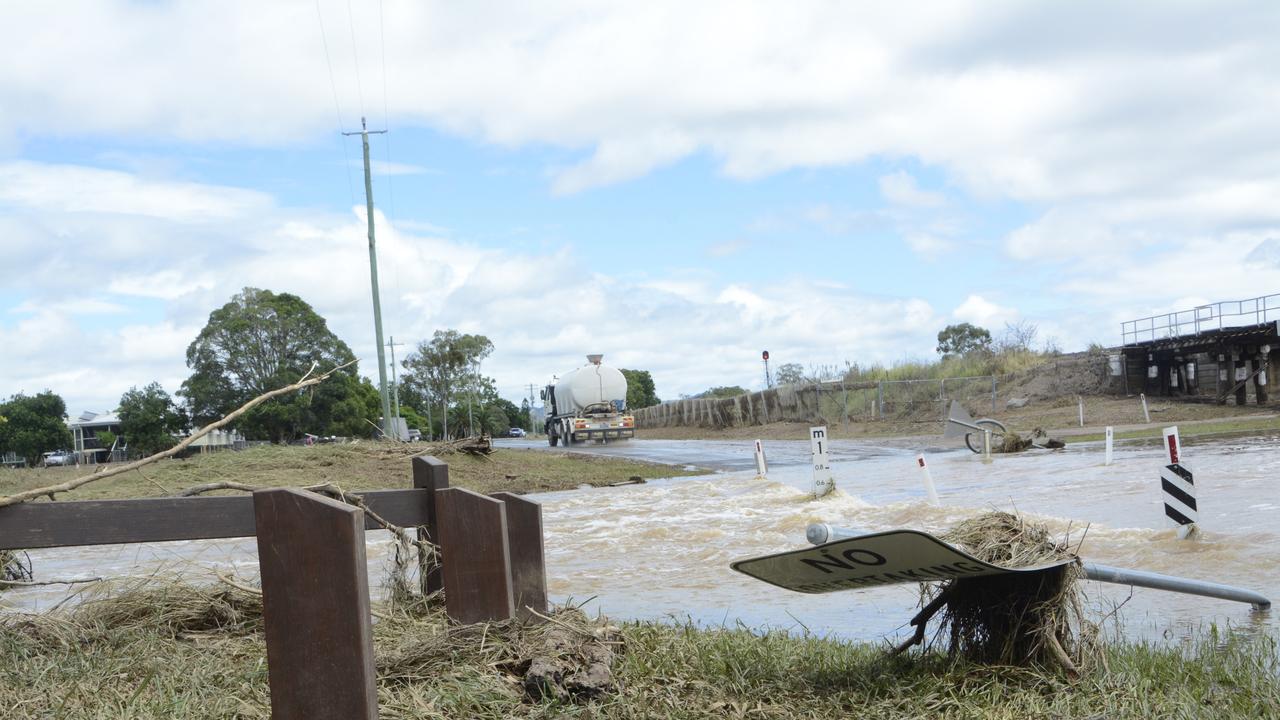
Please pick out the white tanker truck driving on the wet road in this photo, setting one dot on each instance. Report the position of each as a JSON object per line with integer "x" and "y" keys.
{"x": 588, "y": 404}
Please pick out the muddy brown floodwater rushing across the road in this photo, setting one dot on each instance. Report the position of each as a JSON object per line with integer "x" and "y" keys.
{"x": 662, "y": 550}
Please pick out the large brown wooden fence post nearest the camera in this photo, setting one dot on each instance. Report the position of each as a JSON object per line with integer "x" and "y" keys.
{"x": 316, "y": 607}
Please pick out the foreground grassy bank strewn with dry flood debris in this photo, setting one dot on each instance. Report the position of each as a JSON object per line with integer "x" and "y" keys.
{"x": 173, "y": 653}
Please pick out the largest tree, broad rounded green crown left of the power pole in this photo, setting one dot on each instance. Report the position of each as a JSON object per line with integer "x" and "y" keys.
{"x": 262, "y": 341}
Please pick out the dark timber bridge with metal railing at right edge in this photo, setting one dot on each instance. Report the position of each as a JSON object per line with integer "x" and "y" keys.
{"x": 1210, "y": 353}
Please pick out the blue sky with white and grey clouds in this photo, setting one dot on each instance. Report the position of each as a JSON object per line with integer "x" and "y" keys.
{"x": 675, "y": 185}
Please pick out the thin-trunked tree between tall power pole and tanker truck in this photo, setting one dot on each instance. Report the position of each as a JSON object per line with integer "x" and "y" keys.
{"x": 446, "y": 367}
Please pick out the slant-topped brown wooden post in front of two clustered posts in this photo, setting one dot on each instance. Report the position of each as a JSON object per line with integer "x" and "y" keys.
{"x": 473, "y": 531}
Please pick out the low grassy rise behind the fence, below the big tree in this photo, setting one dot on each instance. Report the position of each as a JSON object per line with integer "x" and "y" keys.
{"x": 365, "y": 466}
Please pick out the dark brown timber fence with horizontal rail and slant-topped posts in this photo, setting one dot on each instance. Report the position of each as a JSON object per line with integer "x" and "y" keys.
{"x": 319, "y": 640}
